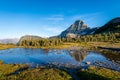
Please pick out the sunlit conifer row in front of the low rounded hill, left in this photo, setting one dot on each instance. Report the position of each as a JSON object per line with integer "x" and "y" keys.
{"x": 40, "y": 42}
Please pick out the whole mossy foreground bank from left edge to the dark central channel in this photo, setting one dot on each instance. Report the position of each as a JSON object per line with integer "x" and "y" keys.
{"x": 20, "y": 72}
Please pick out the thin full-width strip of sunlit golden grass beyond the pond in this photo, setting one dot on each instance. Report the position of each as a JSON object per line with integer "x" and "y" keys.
{"x": 68, "y": 45}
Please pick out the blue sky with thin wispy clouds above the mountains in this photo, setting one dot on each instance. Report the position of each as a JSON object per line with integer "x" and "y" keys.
{"x": 49, "y": 17}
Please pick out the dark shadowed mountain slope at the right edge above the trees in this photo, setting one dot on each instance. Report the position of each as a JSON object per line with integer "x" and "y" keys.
{"x": 111, "y": 26}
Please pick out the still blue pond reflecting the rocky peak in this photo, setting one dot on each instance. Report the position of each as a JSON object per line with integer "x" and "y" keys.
{"x": 56, "y": 56}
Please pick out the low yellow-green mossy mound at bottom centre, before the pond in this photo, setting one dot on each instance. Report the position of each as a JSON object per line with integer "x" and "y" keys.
{"x": 41, "y": 74}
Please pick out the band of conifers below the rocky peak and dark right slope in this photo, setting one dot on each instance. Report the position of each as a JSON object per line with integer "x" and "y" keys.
{"x": 104, "y": 37}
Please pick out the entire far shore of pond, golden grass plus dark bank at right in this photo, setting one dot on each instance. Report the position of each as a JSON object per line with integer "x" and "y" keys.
{"x": 96, "y": 46}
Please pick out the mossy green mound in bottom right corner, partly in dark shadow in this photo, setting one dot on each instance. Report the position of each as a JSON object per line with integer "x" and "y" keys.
{"x": 94, "y": 73}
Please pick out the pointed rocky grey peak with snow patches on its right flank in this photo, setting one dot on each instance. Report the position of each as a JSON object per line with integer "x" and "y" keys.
{"x": 76, "y": 29}
